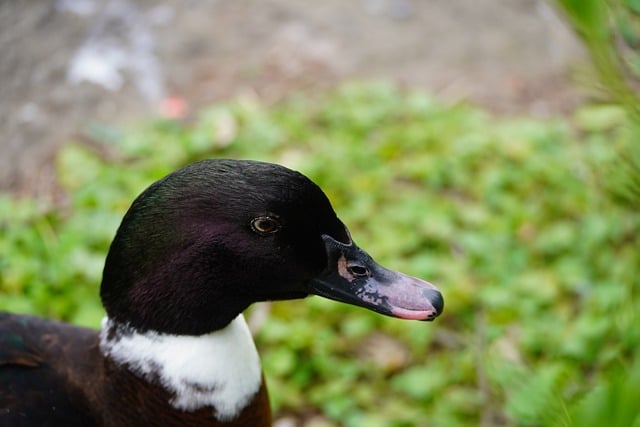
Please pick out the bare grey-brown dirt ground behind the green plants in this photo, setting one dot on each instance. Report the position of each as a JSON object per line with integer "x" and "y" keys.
{"x": 67, "y": 64}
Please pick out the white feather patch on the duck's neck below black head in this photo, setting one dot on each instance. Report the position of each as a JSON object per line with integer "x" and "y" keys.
{"x": 220, "y": 369}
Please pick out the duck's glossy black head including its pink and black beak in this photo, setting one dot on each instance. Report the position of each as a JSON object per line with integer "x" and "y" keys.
{"x": 199, "y": 246}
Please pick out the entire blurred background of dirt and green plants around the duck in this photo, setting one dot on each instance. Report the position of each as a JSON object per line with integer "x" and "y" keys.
{"x": 489, "y": 147}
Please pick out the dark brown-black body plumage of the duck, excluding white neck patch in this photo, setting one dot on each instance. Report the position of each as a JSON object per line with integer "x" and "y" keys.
{"x": 61, "y": 377}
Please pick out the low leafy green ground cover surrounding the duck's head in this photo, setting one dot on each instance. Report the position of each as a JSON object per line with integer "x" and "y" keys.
{"x": 512, "y": 218}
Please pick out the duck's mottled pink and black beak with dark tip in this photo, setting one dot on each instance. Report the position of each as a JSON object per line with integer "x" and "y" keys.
{"x": 353, "y": 277}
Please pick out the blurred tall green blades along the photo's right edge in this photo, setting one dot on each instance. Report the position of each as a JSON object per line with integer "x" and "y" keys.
{"x": 610, "y": 31}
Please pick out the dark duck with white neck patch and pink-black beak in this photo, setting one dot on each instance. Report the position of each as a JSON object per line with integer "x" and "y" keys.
{"x": 193, "y": 251}
